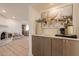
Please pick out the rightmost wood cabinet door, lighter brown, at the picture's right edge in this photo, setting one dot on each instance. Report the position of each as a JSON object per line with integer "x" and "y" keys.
{"x": 71, "y": 48}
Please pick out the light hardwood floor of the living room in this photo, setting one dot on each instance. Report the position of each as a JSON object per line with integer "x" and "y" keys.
{"x": 17, "y": 47}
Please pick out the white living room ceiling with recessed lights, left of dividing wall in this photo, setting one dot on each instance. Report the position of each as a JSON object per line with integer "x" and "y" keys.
{"x": 18, "y": 10}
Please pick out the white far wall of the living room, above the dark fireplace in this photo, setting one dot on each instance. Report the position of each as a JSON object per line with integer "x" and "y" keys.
{"x": 13, "y": 25}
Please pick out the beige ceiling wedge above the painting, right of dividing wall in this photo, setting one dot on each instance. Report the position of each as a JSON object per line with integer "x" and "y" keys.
{"x": 43, "y": 6}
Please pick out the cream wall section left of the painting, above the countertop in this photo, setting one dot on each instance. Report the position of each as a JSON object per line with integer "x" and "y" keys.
{"x": 33, "y": 15}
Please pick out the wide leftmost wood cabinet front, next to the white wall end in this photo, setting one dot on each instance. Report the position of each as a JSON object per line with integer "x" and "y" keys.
{"x": 41, "y": 46}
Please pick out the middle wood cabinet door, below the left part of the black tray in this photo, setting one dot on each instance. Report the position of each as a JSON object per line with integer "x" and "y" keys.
{"x": 57, "y": 47}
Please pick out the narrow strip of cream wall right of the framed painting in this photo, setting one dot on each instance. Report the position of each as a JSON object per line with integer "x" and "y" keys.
{"x": 76, "y": 18}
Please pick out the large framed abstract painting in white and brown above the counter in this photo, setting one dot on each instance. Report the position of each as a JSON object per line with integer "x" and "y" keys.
{"x": 55, "y": 18}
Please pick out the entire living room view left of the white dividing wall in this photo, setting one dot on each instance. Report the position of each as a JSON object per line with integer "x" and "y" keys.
{"x": 14, "y": 29}
